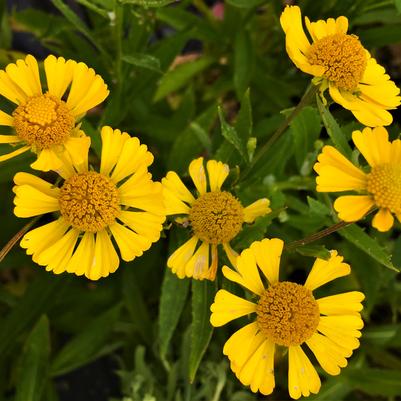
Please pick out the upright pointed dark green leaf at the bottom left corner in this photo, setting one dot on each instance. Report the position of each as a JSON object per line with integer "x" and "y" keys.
{"x": 33, "y": 372}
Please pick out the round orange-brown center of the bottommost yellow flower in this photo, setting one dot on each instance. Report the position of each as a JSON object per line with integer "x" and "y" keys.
{"x": 287, "y": 313}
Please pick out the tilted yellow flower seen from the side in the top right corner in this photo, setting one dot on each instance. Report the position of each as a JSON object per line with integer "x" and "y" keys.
{"x": 340, "y": 63}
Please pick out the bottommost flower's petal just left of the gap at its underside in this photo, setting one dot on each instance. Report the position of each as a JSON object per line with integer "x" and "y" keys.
{"x": 258, "y": 370}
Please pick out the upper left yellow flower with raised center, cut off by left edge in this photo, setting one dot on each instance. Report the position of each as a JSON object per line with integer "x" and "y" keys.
{"x": 46, "y": 123}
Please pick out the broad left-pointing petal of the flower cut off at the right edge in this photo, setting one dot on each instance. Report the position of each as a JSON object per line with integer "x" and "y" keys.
{"x": 337, "y": 173}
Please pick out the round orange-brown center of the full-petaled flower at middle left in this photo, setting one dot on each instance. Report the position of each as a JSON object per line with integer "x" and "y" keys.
{"x": 89, "y": 201}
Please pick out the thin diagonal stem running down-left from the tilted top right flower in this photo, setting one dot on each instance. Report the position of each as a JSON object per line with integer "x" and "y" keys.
{"x": 306, "y": 99}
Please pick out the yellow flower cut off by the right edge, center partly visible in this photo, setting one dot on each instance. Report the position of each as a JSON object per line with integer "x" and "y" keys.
{"x": 380, "y": 187}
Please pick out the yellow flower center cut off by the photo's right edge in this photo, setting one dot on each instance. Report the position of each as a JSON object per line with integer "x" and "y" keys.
{"x": 384, "y": 183}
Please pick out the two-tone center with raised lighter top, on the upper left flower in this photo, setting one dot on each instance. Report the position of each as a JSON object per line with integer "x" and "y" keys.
{"x": 43, "y": 121}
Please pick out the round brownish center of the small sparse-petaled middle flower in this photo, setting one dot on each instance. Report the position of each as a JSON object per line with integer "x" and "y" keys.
{"x": 216, "y": 217}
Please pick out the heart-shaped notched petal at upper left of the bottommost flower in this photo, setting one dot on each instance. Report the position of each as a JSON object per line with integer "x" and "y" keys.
{"x": 247, "y": 273}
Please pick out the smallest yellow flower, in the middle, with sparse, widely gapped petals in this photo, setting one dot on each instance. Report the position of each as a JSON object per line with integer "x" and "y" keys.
{"x": 216, "y": 217}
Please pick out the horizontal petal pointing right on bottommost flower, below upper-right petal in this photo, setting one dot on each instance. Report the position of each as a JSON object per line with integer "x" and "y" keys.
{"x": 346, "y": 303}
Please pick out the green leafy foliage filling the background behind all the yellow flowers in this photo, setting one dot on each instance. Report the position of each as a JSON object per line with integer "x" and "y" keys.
{"x": 191, "y": 84}
